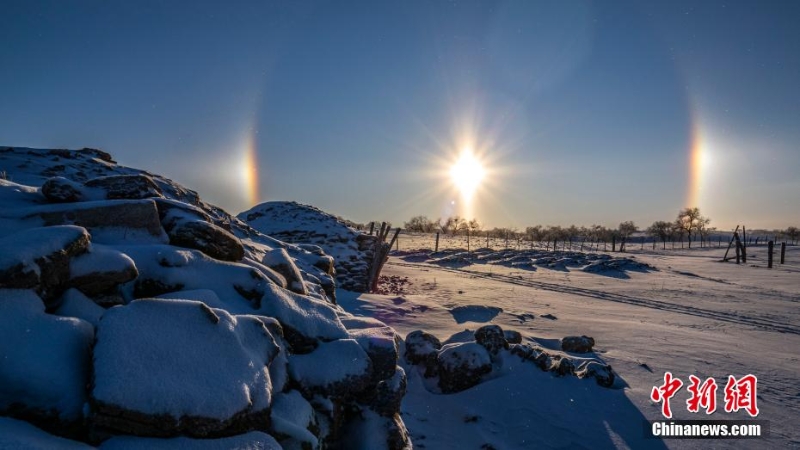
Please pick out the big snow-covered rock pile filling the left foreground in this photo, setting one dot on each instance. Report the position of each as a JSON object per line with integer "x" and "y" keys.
{"x": 134, "y": 315}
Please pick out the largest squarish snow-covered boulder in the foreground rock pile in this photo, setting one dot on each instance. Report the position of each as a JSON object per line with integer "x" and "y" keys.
{"x": 168, "y": 367}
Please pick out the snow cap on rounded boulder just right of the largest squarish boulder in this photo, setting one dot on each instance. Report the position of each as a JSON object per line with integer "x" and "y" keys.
{"x": 323, "y": 367}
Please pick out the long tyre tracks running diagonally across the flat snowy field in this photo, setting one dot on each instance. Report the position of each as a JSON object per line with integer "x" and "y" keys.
{"x": 723, "y": 316}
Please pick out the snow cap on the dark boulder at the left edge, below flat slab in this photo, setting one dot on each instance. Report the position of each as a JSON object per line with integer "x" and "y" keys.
{"x": 25, "y": 246}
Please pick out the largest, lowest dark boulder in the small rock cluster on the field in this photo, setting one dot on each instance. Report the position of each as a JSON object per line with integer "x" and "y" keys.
{"x": 462, "y": 366}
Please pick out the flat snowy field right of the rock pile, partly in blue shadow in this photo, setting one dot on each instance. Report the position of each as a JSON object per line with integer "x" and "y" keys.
{"x": 689, "y": 315}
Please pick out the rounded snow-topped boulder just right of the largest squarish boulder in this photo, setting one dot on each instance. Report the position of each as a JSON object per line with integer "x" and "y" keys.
{"x": 338, "y": 369}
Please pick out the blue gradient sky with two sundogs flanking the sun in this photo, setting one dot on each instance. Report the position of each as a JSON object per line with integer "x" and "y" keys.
{"x": 582, "y": 112}
